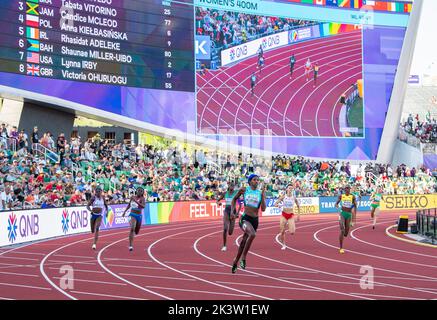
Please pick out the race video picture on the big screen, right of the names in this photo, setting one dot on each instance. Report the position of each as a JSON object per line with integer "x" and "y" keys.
{"x": 280, "y": 77}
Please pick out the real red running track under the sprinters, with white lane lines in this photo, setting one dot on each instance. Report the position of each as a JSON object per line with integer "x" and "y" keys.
{"x": 184, "y": 261}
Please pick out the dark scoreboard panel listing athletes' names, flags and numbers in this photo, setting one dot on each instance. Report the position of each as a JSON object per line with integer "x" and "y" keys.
{"x": 146, "y": 44}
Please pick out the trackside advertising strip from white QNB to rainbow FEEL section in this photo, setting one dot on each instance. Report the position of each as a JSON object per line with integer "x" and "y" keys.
{"x": 32, "y": 225}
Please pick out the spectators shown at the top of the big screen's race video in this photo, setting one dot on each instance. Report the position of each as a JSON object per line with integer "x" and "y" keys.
{"x": 228, "y": 29}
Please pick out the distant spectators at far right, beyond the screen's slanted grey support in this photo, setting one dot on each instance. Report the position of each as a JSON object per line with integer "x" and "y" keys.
{"x": 425, "y": 130}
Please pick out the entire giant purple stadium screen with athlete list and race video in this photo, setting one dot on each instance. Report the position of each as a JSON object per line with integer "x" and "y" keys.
{"x": 312, "y": 78}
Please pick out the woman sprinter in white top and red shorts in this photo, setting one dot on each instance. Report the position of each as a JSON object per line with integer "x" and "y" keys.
{"x": 289, "y": 200}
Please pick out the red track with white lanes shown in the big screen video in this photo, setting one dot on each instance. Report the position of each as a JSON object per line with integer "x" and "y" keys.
{"x": 283, "y": 106}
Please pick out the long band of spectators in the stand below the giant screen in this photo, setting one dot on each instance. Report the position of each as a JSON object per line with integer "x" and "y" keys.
{"x": 30, "y": 179}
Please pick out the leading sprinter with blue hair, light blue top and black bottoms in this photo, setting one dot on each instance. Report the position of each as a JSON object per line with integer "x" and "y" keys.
{"x": 254, "y": 199}
